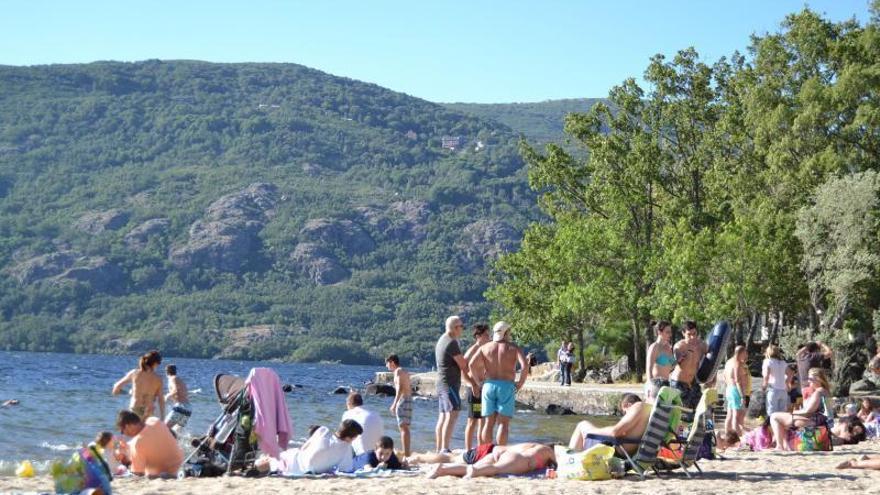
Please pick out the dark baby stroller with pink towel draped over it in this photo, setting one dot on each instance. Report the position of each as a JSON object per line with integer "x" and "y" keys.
{"x": 231, "y": 444}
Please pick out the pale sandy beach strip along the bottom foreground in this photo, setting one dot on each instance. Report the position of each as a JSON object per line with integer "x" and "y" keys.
{"x": 742, "y": 472}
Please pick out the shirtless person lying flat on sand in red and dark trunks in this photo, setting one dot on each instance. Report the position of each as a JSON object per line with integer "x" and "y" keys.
{"x": 521, "y": 458}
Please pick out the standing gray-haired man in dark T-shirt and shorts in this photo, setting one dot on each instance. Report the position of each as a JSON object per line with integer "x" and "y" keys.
{"x": 451, "y": 368}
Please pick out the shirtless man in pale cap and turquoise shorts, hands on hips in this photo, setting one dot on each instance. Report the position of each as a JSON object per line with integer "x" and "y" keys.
{"x": 496, "y": 362}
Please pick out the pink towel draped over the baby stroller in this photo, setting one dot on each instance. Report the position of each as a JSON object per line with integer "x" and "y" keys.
{"x": 271, "y": 420}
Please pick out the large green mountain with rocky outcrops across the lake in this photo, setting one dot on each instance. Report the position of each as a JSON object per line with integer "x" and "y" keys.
{"x": 244, "y": 210}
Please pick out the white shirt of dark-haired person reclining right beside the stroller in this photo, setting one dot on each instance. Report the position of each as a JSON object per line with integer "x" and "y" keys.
{"x": 319, "y": 454}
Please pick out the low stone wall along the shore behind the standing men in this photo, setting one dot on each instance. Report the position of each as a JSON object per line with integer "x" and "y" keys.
{"x": 594, "y": 400}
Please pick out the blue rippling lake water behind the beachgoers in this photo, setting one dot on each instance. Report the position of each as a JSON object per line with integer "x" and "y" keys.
{"x": 65, "y": 401}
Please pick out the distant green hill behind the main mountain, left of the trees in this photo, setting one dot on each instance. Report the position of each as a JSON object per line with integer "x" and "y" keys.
{"x": 540, "y": 123}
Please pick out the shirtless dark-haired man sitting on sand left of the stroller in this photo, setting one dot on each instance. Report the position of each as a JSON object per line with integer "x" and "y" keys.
{"x": 154, "y": 450}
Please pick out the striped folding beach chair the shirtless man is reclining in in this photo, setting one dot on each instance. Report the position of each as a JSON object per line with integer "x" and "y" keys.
{"x": 660, "y": 427}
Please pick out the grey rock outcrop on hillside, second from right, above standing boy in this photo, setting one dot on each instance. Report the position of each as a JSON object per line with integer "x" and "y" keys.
{"x": 400, "y": 221}
